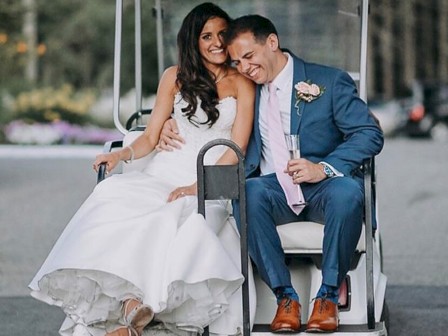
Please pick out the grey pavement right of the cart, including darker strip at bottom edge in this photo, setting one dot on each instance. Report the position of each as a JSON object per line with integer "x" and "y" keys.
{"x": 413, "y": 209}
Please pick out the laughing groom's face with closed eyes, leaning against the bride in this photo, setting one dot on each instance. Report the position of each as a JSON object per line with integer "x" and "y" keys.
{"x": 255, "y": 60}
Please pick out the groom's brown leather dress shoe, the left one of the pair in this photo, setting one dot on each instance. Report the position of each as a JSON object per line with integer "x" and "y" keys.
{"x": 287, "y": 318}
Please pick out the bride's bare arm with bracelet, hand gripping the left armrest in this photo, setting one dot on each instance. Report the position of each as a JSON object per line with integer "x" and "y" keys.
{"x": 145, "y": 143}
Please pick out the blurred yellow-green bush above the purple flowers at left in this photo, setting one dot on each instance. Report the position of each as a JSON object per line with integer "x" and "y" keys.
{"x": 50, "y": 105}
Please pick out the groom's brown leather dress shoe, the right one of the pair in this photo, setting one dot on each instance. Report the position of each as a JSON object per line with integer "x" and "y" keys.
{"x": 324, "y": 317}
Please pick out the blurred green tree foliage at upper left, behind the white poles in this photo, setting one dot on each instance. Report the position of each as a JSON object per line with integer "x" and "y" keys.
{"x": 78, "y": 41}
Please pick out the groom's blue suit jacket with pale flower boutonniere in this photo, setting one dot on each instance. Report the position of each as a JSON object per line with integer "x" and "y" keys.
{"x": 336, "y": 128}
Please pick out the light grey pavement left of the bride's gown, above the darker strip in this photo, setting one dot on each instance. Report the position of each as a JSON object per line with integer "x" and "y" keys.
{"x": 38, "y": 196}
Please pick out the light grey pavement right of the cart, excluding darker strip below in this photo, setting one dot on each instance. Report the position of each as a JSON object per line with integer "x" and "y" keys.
{"x": 413, "y": 209}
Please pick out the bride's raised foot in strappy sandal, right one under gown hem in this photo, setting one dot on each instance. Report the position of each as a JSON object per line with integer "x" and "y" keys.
{"x": 137, "y": 315}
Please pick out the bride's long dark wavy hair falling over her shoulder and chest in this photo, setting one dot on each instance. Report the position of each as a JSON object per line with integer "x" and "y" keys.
{"x": 193, "y": 78}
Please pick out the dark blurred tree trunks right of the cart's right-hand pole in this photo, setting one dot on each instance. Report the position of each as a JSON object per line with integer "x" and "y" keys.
{"x": 408, "y": 40}
